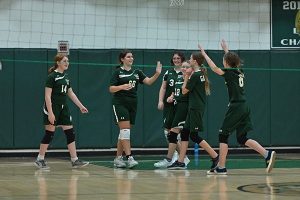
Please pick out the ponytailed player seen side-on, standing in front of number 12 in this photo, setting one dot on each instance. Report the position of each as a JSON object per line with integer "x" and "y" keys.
{"x": 196, "y": 84}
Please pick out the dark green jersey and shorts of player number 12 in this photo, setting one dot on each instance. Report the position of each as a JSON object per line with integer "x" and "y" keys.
{"x": 181, "y": 103}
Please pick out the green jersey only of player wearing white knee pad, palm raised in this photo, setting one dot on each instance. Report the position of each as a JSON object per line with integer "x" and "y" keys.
{"x": 122, "y": 76}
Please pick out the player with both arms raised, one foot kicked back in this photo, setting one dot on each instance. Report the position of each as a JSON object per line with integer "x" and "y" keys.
{"x": 237, "y": 117}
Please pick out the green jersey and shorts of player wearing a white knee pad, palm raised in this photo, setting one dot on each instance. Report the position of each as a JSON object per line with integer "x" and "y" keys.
{"x": 125, "y": 101}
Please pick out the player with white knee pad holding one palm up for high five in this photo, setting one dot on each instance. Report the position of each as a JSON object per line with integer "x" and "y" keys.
{"x": 123, "y": 85}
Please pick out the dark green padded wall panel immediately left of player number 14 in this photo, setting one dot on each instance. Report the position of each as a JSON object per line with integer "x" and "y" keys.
{"x": 29, "y": 81}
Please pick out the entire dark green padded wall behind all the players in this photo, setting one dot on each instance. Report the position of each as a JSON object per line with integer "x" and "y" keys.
{"x": 272, "y": 93}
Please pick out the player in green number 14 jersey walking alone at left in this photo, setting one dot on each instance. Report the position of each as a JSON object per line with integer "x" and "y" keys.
{"x": 56, "y": 111}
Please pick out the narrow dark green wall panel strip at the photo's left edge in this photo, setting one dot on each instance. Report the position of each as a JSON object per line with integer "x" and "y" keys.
{"x": 6, "y": 98}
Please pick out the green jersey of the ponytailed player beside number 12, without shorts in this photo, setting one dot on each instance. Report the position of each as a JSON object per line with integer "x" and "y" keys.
{"x": 196, "y": 87}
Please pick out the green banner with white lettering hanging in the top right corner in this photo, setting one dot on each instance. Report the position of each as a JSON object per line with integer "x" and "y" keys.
{"x": 285, "y": 24}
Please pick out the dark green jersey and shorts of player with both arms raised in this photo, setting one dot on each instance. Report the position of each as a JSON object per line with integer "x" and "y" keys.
{"x": 238, "y": 114}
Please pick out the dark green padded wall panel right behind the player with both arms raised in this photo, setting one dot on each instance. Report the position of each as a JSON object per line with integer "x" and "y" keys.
{"x": 257, "y": 85}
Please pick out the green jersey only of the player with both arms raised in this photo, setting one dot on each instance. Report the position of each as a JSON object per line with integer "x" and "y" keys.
{"x": 234, "y": 80}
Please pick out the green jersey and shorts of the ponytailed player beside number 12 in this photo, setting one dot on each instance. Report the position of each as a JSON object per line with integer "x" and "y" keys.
{"x": 197, "y": 102}
